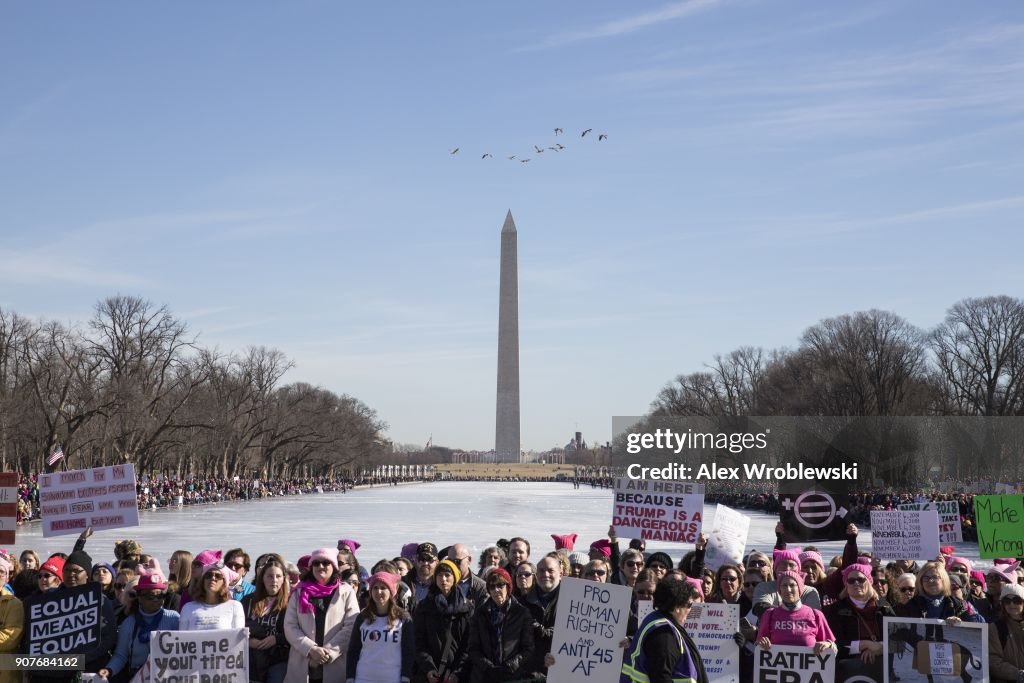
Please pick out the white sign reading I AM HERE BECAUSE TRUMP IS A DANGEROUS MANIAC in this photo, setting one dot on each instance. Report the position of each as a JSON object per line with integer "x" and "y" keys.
{"x": 656, "y": 510}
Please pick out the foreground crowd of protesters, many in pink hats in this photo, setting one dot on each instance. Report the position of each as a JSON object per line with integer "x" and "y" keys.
{"x": 435, "y": 615}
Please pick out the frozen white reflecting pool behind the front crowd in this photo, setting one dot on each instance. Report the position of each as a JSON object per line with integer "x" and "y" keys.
{"x": 385, "y": 519}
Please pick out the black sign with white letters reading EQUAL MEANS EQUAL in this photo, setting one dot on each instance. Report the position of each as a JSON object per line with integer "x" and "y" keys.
{"x": 63, "y": 622}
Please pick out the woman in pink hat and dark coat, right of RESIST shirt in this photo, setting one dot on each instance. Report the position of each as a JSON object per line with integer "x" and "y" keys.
{"x": 857, "y": 620}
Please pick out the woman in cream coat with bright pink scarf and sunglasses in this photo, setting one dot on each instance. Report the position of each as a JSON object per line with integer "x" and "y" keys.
{"x": 319, "y": 623}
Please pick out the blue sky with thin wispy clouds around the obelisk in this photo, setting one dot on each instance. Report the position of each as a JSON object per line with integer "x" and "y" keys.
{"x": 279, "y": 175}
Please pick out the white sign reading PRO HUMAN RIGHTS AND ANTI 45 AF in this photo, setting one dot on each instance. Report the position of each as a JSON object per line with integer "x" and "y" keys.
{"x": 591, "y": 620}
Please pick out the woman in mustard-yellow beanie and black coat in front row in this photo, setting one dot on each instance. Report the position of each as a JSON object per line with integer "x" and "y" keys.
{"x": 443, "y": 628}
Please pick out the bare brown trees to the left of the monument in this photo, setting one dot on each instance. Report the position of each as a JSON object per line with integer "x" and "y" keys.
{"x": 135, "y": 386}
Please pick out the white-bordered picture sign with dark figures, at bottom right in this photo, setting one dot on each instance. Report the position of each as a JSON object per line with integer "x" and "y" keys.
{"x": 936, "y": 653}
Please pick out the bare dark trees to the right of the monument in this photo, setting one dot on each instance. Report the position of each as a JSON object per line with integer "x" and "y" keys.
{"x": 877, "y": 365}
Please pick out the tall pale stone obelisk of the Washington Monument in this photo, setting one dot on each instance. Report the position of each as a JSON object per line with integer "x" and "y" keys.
{"x": 507, "y": 422}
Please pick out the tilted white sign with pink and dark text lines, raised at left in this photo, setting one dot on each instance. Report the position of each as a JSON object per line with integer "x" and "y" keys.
{"x": 101, "y": 498}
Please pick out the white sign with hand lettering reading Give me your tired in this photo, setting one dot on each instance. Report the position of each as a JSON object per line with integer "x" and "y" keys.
{"x": 200, "y": 656}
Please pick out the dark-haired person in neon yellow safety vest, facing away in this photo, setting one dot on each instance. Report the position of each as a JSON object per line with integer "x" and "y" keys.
{"x": 662, "y": 652}
